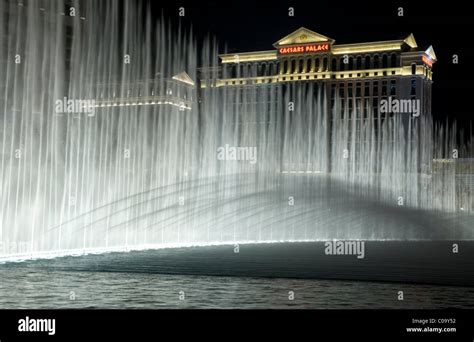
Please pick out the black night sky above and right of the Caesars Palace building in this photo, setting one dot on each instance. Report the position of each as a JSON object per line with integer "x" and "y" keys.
{"x": 252, "y": 25}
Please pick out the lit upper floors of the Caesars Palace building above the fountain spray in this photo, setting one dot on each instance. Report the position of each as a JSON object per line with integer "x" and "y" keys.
{"x": 356, "y": 74}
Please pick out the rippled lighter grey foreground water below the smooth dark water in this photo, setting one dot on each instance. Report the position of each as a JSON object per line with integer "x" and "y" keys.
{"x": 23, "y": 288}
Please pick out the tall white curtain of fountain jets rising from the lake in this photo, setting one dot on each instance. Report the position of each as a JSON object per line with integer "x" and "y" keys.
{"x": 139, "y": 166}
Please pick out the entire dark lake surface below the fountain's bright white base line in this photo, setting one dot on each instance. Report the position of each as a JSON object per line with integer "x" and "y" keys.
{"x": 276, "y": 276}
